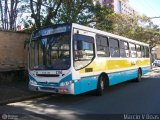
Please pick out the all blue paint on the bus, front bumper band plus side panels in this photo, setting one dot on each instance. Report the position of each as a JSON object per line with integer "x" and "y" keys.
{"x": 90, "y": 83}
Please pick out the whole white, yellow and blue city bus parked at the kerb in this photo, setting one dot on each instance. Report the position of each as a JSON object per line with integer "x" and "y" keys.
{"x": 74, "y": 59}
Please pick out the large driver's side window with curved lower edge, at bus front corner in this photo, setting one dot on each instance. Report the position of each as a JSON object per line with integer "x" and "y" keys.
{"x": 83, "y": 50}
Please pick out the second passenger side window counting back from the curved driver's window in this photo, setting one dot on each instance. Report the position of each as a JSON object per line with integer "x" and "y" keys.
{"x": 114, "y": 47}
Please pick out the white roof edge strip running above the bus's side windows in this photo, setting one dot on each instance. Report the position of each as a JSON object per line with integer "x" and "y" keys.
{"x": 106, "y": 34}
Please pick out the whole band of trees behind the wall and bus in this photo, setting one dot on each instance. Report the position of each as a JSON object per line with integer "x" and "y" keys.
{"x": 47, "y": 12}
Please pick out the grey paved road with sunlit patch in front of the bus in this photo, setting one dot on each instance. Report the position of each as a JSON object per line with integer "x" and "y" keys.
{"x": 124, "y": 99}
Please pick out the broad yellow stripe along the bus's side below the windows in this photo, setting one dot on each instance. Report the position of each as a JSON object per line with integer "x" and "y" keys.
{"x": 103, "y": 65}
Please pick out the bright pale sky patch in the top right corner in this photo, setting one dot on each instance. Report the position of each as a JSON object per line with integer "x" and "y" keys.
{"x": 150, "y": 8}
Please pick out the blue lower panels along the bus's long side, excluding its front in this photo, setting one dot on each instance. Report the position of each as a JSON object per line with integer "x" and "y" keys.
{"x": 90, "y": 83}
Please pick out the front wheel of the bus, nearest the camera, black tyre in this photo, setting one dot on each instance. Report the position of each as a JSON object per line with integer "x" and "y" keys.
{"x": 100, "y": 86}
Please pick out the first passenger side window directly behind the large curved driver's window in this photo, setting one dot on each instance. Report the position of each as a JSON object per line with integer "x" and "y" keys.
{"x": 102, "y": 46}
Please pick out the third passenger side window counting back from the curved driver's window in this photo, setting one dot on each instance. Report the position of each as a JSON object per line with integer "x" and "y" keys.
{"x": 124, "y": 49}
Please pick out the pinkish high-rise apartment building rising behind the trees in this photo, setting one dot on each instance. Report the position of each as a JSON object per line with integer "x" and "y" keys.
{"x": 119, "y": 6}
